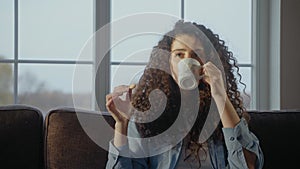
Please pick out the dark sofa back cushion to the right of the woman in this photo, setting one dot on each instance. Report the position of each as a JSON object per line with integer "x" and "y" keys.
{"x": 278, "y": 134}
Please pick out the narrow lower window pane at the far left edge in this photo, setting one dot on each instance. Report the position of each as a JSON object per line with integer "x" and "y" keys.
{"x": 6, "y": 84}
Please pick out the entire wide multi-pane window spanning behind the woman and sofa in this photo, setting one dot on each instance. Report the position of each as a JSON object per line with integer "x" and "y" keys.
{"x": 41, "y": 40}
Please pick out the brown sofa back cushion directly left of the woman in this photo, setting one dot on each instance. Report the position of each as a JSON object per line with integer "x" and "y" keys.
{"x": 67, "y": 144}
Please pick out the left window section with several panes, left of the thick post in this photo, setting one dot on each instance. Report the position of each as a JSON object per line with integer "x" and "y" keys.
{"x": 40, "y": 43}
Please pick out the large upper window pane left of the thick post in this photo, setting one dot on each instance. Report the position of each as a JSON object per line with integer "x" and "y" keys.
{"x": 55, "y": 29}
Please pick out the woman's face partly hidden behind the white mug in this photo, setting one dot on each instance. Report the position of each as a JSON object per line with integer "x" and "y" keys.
{"x": 184, "y": 46}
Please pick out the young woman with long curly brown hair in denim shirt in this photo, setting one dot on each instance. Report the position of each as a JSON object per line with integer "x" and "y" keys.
{"x": 230, "y": 145}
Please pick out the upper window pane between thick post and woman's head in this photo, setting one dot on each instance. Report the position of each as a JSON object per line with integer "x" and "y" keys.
{"x": 124, "y": 47}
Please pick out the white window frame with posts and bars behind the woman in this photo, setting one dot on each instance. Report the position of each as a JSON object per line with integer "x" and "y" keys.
{"x": 265, "y": 54}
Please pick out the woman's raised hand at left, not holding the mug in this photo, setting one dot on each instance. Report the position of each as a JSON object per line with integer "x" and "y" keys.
{"x": 119, "y": 108}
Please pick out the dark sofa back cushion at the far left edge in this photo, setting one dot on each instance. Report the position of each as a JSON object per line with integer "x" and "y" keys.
{"x": 21, "y": 137}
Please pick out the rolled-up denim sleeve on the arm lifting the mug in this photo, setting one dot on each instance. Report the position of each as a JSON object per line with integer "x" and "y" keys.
{"x": 238, "y": 138}
